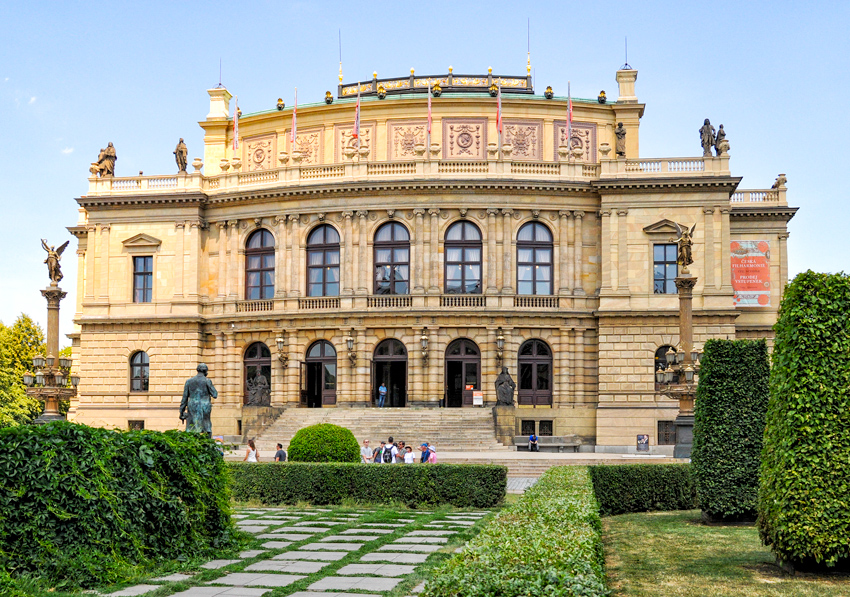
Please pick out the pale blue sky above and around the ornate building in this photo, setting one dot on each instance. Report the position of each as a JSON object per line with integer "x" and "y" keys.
{"x": 74, "y": 76}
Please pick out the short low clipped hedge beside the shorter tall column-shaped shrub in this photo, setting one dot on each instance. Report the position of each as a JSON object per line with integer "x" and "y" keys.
{"x": 623, "y": 488}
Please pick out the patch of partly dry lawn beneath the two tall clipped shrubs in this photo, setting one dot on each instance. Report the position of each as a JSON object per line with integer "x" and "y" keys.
{"x": 668, "y": 554}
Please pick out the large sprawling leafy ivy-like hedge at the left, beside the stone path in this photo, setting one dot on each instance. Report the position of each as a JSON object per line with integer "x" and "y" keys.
{"x": 81, "y": 506}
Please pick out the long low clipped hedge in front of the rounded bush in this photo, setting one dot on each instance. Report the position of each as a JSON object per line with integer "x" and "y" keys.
{"x": 460, "y": 485}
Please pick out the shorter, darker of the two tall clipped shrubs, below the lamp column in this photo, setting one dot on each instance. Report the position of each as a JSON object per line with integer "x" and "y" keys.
{"x": 729, "y": 415}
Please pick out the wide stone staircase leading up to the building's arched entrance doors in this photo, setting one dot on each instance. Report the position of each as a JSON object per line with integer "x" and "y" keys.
{"x": 446, "y": 428}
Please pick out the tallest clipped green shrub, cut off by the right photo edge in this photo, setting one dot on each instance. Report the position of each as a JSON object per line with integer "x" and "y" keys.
{"x": 804, "y": 494}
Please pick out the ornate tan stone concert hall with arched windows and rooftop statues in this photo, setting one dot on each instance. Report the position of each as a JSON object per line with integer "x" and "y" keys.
{"x": 306, "y": 272}
